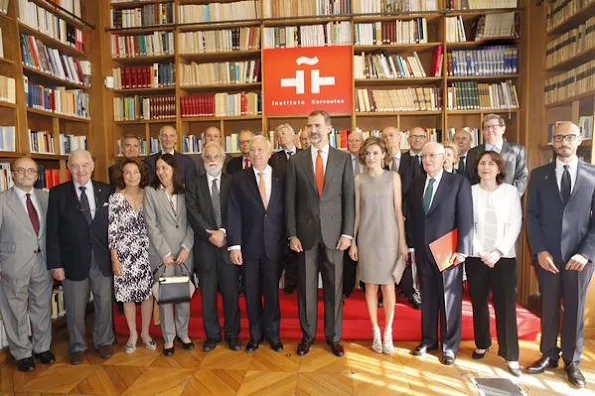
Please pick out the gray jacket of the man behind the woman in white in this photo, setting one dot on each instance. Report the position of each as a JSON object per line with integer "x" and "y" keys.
{"x": 515, "y": 156}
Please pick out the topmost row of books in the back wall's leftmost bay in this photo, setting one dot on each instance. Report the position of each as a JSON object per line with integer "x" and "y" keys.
{"x": 147, "y": 15}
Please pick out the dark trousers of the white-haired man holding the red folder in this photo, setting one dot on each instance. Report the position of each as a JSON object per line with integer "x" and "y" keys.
{"x": 441, "y": 299}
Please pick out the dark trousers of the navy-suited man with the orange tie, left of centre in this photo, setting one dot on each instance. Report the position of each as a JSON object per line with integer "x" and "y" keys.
{"x": 262, "y": 279}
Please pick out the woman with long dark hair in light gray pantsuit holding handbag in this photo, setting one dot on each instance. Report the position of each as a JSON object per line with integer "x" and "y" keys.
{"x": 170, "y": 243}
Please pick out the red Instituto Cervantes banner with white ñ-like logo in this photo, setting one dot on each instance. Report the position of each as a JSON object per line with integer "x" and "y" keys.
{"x": 300, "y": 80}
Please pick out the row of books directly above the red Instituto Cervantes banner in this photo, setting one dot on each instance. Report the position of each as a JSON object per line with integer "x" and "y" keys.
{"x": 332, "y": 33}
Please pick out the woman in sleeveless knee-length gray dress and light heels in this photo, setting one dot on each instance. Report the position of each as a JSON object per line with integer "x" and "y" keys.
{"x": 379, "y": 245}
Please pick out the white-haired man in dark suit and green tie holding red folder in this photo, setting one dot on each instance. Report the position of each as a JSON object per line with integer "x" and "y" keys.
{"x": 438, "y": 203}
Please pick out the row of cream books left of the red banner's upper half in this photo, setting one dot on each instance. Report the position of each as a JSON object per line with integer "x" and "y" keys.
{"x": 238, "y": 72}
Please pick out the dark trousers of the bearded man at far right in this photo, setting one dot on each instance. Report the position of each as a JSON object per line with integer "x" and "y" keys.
{"x": 568, "y": 288}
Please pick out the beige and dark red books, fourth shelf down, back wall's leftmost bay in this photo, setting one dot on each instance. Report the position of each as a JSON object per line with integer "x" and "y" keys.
{"x": 144, "y": 108}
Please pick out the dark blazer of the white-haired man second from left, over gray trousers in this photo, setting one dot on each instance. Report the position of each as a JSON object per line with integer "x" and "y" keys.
{"x": 70, "y": 239}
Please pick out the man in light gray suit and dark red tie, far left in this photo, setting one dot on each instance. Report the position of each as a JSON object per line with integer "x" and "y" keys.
{"x": 25, "y": 282}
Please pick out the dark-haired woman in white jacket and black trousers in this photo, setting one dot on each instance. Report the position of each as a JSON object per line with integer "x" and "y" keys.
{"x": 492, "y": 267}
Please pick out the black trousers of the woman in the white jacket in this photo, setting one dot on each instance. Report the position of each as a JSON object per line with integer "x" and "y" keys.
{"x": 501, "y": 280}
